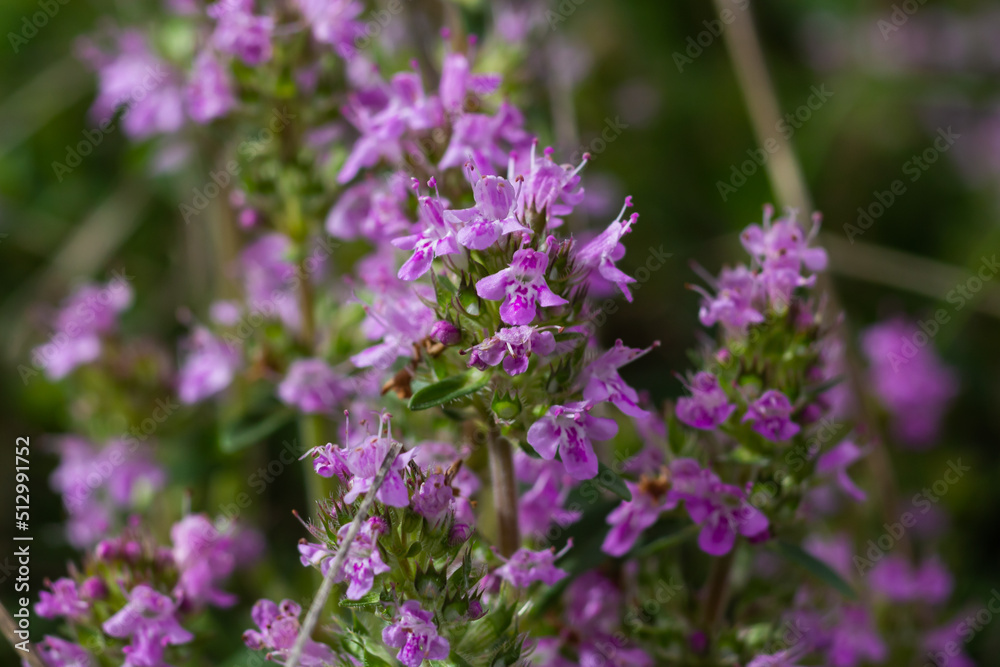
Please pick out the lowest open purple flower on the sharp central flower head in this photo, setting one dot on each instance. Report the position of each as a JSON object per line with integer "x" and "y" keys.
{"x": 569, "y": 429}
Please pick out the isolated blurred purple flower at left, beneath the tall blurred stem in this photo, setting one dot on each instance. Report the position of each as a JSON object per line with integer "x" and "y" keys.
{"x": 208, "y": 367}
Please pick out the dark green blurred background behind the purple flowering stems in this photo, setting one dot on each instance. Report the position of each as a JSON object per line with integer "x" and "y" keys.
{"x": 863, "y": 90}
